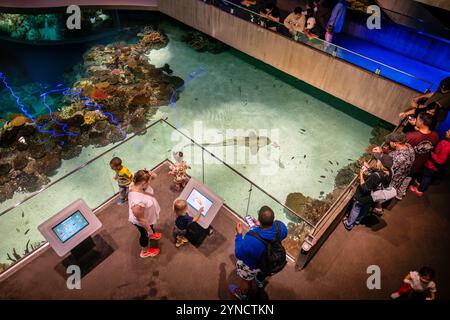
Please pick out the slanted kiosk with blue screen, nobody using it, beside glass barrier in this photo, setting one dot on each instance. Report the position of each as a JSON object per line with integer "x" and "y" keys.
{"x": 70, "y": 227}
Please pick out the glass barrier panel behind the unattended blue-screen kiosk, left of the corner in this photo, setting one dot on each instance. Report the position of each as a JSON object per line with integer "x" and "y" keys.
{"x": 93, "y": 183}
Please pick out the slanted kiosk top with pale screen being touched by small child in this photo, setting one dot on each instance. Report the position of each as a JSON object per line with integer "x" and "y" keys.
{"x": 197, "y": 195}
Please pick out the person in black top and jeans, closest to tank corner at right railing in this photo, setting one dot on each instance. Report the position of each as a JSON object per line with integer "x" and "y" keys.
{"x": 372, "y": 178}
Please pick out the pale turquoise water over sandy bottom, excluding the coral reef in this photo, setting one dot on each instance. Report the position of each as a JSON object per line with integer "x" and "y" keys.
{"x": 227, "y": 97}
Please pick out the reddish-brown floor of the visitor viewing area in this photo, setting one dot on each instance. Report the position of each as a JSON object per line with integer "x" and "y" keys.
{"x": 414, "y": 233}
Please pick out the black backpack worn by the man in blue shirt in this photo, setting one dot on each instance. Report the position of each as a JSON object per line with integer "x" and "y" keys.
{"x": 273, "y": 259}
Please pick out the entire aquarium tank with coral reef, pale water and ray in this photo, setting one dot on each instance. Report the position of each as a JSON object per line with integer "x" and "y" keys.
{"x": 66, "y": 98}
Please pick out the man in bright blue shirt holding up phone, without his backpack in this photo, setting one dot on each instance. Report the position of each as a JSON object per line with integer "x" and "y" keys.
{"x": 249, "y": 250}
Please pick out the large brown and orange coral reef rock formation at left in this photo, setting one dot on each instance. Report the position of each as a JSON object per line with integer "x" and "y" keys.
{"x": 119, "y": 92}
